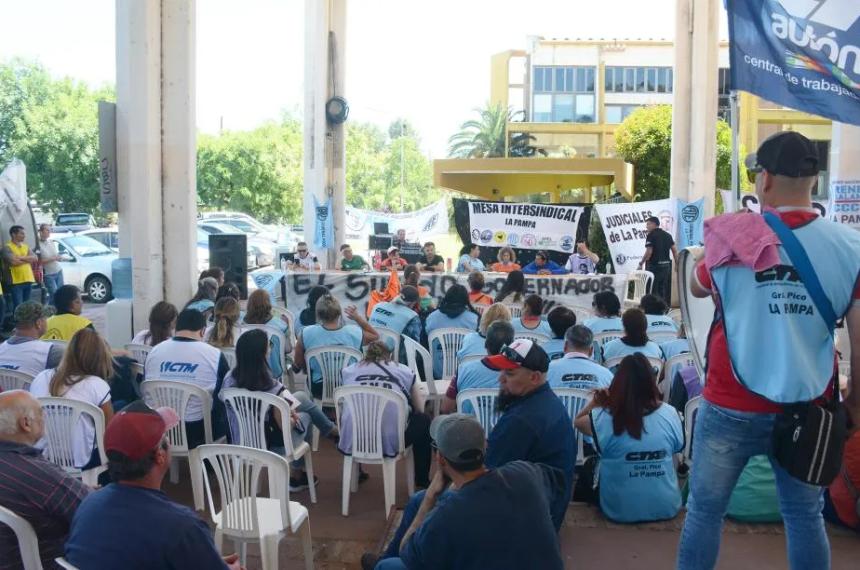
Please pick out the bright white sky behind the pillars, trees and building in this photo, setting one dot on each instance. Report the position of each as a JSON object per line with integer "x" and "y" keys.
{"x": 426, "y": 61}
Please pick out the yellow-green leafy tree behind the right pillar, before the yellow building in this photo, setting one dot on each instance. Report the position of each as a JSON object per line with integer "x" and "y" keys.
{"x": 644, "y": 139}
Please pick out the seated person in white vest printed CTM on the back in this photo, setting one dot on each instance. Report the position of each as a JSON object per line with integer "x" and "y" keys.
{"x": 186, "y": 358}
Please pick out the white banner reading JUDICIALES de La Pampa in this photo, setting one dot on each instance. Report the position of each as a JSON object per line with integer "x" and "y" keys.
{"x": 624, "y": 228}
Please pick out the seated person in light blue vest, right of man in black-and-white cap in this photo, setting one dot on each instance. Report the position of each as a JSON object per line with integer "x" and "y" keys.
{"x": 576, "y": 369}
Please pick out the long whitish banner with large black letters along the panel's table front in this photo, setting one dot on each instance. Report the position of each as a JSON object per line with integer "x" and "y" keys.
{"x": 354, "y": 288}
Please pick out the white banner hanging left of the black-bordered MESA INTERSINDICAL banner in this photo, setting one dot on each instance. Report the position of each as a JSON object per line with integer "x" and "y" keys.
{"x": 432, "y": 220}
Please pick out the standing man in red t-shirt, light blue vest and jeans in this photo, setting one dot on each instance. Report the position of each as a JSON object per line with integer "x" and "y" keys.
{"x": 733, "y": 423}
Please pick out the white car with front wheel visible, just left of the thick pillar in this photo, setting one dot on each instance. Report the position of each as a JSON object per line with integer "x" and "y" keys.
{"x": 87, "y": 265}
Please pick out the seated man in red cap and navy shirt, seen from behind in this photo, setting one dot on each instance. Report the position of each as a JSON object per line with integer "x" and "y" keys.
{"x": 131, "y": 523}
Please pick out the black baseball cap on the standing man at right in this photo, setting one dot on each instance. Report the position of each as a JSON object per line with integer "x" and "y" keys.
{"x": 787, "y": 154}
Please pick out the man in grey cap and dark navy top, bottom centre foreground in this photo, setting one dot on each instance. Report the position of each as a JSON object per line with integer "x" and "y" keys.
{"x": 463, "y": 528}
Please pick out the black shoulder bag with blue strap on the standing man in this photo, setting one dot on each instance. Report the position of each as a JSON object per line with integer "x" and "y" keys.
{"x": 809, "y": 438}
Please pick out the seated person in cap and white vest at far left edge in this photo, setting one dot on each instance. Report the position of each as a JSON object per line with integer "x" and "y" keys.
{"x": 23, "y": 351}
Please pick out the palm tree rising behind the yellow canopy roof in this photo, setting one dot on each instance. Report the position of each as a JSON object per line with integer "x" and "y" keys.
{"x": 485, "y": 137}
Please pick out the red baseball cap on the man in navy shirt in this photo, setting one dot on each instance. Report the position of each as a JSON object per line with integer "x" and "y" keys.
{"x": 138, "y": 429}
